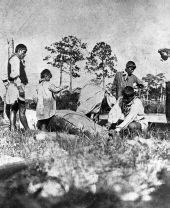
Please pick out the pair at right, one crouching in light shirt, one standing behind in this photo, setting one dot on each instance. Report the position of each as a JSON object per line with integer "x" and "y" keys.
{"x": 128, "y": 112}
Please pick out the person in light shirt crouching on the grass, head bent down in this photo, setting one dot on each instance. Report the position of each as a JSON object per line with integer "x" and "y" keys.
{"x": 128, "y": 112}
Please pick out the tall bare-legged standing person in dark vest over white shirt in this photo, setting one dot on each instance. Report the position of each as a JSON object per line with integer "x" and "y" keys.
{"x": 15, "y": 84}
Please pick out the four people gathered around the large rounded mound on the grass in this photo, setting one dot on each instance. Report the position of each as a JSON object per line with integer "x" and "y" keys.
{"x": 128, "y": 112}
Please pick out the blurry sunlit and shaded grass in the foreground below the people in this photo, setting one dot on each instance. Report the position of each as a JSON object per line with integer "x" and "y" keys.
{"x": 76, "y": 171}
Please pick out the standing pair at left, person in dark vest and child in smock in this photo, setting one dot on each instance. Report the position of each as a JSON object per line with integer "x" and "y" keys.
{"x": 15, "y": 79}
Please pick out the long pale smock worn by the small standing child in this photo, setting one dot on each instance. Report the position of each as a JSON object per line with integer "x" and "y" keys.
{"x": 46, "y": 104}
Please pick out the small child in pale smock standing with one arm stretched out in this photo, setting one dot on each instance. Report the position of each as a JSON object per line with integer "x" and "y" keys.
{"x": 46, "y": 103}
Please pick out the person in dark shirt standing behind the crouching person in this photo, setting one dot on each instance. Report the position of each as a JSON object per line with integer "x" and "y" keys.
{"x": 126, "y": 78}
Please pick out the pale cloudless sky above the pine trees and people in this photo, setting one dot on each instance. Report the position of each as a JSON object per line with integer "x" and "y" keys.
{"x": 135, "y": 30}
